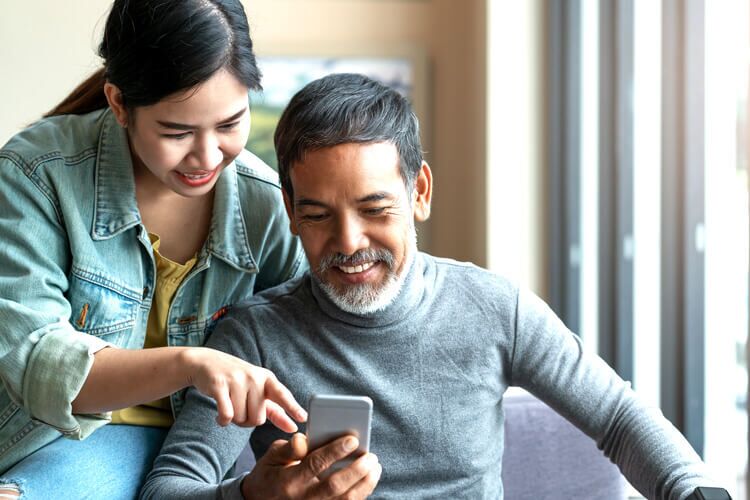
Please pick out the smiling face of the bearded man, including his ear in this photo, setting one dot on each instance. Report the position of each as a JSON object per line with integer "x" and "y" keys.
{"x": 355, "y": 218}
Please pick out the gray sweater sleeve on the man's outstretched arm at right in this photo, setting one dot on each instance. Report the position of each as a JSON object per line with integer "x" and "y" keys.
{"x": 549, "y": 361}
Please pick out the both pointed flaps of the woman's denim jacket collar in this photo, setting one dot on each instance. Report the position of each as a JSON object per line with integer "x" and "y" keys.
{"x": 116, "y": 209}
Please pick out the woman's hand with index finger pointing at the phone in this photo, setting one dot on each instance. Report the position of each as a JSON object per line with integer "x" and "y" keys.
{"x": 245, "y": 394}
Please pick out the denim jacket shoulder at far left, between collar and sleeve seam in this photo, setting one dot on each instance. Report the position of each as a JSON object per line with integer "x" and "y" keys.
{"x": 64, "y": 136}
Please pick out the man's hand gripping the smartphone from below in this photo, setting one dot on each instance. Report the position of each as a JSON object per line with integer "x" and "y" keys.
{"x": 287, "y": 471}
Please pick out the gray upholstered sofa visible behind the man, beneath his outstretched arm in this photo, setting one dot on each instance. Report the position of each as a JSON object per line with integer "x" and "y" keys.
{"x": 546, "y": 457}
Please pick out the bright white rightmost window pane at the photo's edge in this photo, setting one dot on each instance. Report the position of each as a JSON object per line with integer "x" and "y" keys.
{"x": 726, "y": 240}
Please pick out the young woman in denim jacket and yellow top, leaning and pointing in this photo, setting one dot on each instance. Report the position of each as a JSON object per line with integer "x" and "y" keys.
{"x": 133, "y": 218}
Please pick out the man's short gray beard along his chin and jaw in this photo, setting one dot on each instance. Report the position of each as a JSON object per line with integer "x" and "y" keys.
{"x": 366, "y": 298}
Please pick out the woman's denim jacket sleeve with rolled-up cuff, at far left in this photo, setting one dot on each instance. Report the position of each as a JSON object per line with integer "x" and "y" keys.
{"x": 43, "y": 359}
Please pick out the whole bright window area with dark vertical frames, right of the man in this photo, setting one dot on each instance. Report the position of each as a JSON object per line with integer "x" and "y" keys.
{"x": 645, "y": 183}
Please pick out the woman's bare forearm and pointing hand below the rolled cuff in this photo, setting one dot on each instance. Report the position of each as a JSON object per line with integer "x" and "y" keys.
{"x": 245, "y": 394}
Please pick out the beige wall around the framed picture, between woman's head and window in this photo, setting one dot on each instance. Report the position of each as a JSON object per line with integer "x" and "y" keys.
{"x": 451, "y": 35}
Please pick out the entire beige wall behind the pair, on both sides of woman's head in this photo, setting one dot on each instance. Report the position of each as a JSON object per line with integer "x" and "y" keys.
{"x": 44, "y": 64}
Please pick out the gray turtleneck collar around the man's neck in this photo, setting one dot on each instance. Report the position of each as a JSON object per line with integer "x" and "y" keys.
{"x": 410, "y": 295}
